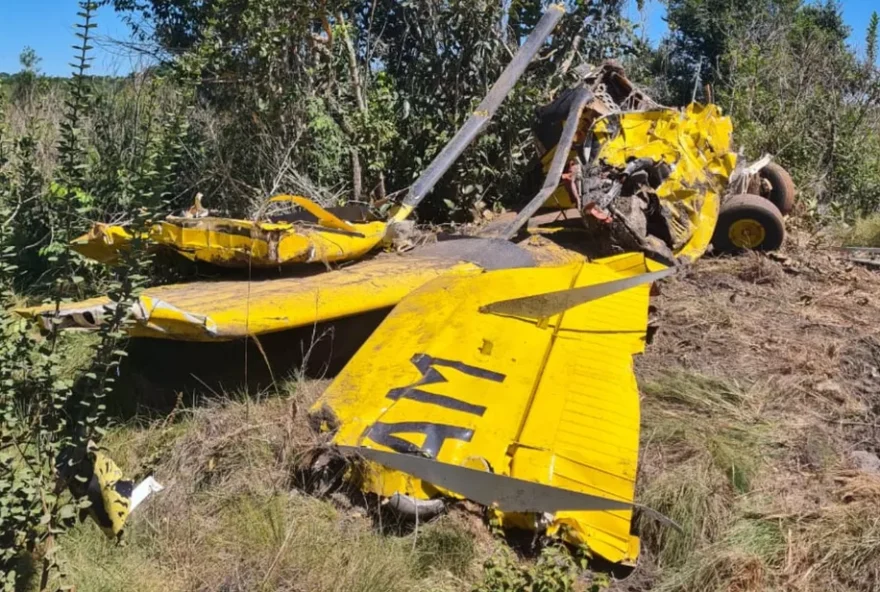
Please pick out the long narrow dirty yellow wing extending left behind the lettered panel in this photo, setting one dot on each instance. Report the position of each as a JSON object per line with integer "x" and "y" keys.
{"x": 231, "y": 309}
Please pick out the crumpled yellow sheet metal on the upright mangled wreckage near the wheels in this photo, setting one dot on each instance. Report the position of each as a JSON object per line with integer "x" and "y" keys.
{"x": 696, "y": 144}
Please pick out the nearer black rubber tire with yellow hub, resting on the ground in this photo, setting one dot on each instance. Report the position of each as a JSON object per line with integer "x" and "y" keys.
{"x": 748, "y": 208}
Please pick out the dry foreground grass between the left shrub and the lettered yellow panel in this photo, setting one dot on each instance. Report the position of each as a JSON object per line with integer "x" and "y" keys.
{"x": 231, "y": 519}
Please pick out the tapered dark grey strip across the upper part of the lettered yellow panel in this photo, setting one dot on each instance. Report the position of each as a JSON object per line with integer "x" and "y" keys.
{"x": 546, "y": 305}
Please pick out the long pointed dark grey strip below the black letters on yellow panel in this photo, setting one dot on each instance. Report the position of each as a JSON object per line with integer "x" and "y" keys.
{"x": 490, "y": 489}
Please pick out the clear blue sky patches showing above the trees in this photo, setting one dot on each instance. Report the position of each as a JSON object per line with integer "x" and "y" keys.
{"x": 47, "y": 26}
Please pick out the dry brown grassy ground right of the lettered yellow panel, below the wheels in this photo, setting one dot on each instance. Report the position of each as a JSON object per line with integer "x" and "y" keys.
{"x": 761, "y": 396}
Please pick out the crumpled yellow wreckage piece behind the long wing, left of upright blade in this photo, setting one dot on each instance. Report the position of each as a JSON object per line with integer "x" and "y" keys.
{"x": 243, "y": 243}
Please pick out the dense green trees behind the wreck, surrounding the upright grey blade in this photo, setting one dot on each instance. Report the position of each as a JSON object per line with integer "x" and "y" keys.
{"x": 357, "y": 96}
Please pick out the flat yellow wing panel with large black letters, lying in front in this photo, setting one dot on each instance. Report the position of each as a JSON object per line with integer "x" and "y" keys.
{"x": 525, "y": 373}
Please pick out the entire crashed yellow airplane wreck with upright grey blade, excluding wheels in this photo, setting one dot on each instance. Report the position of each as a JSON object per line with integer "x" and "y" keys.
{"x": 504, "y": 372}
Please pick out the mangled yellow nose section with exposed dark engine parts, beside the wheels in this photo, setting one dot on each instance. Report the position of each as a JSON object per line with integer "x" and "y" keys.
{"x": 643, "y": 176}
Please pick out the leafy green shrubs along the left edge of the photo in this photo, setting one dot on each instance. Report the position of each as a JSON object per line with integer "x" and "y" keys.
{"x": 117, "y": 154}
